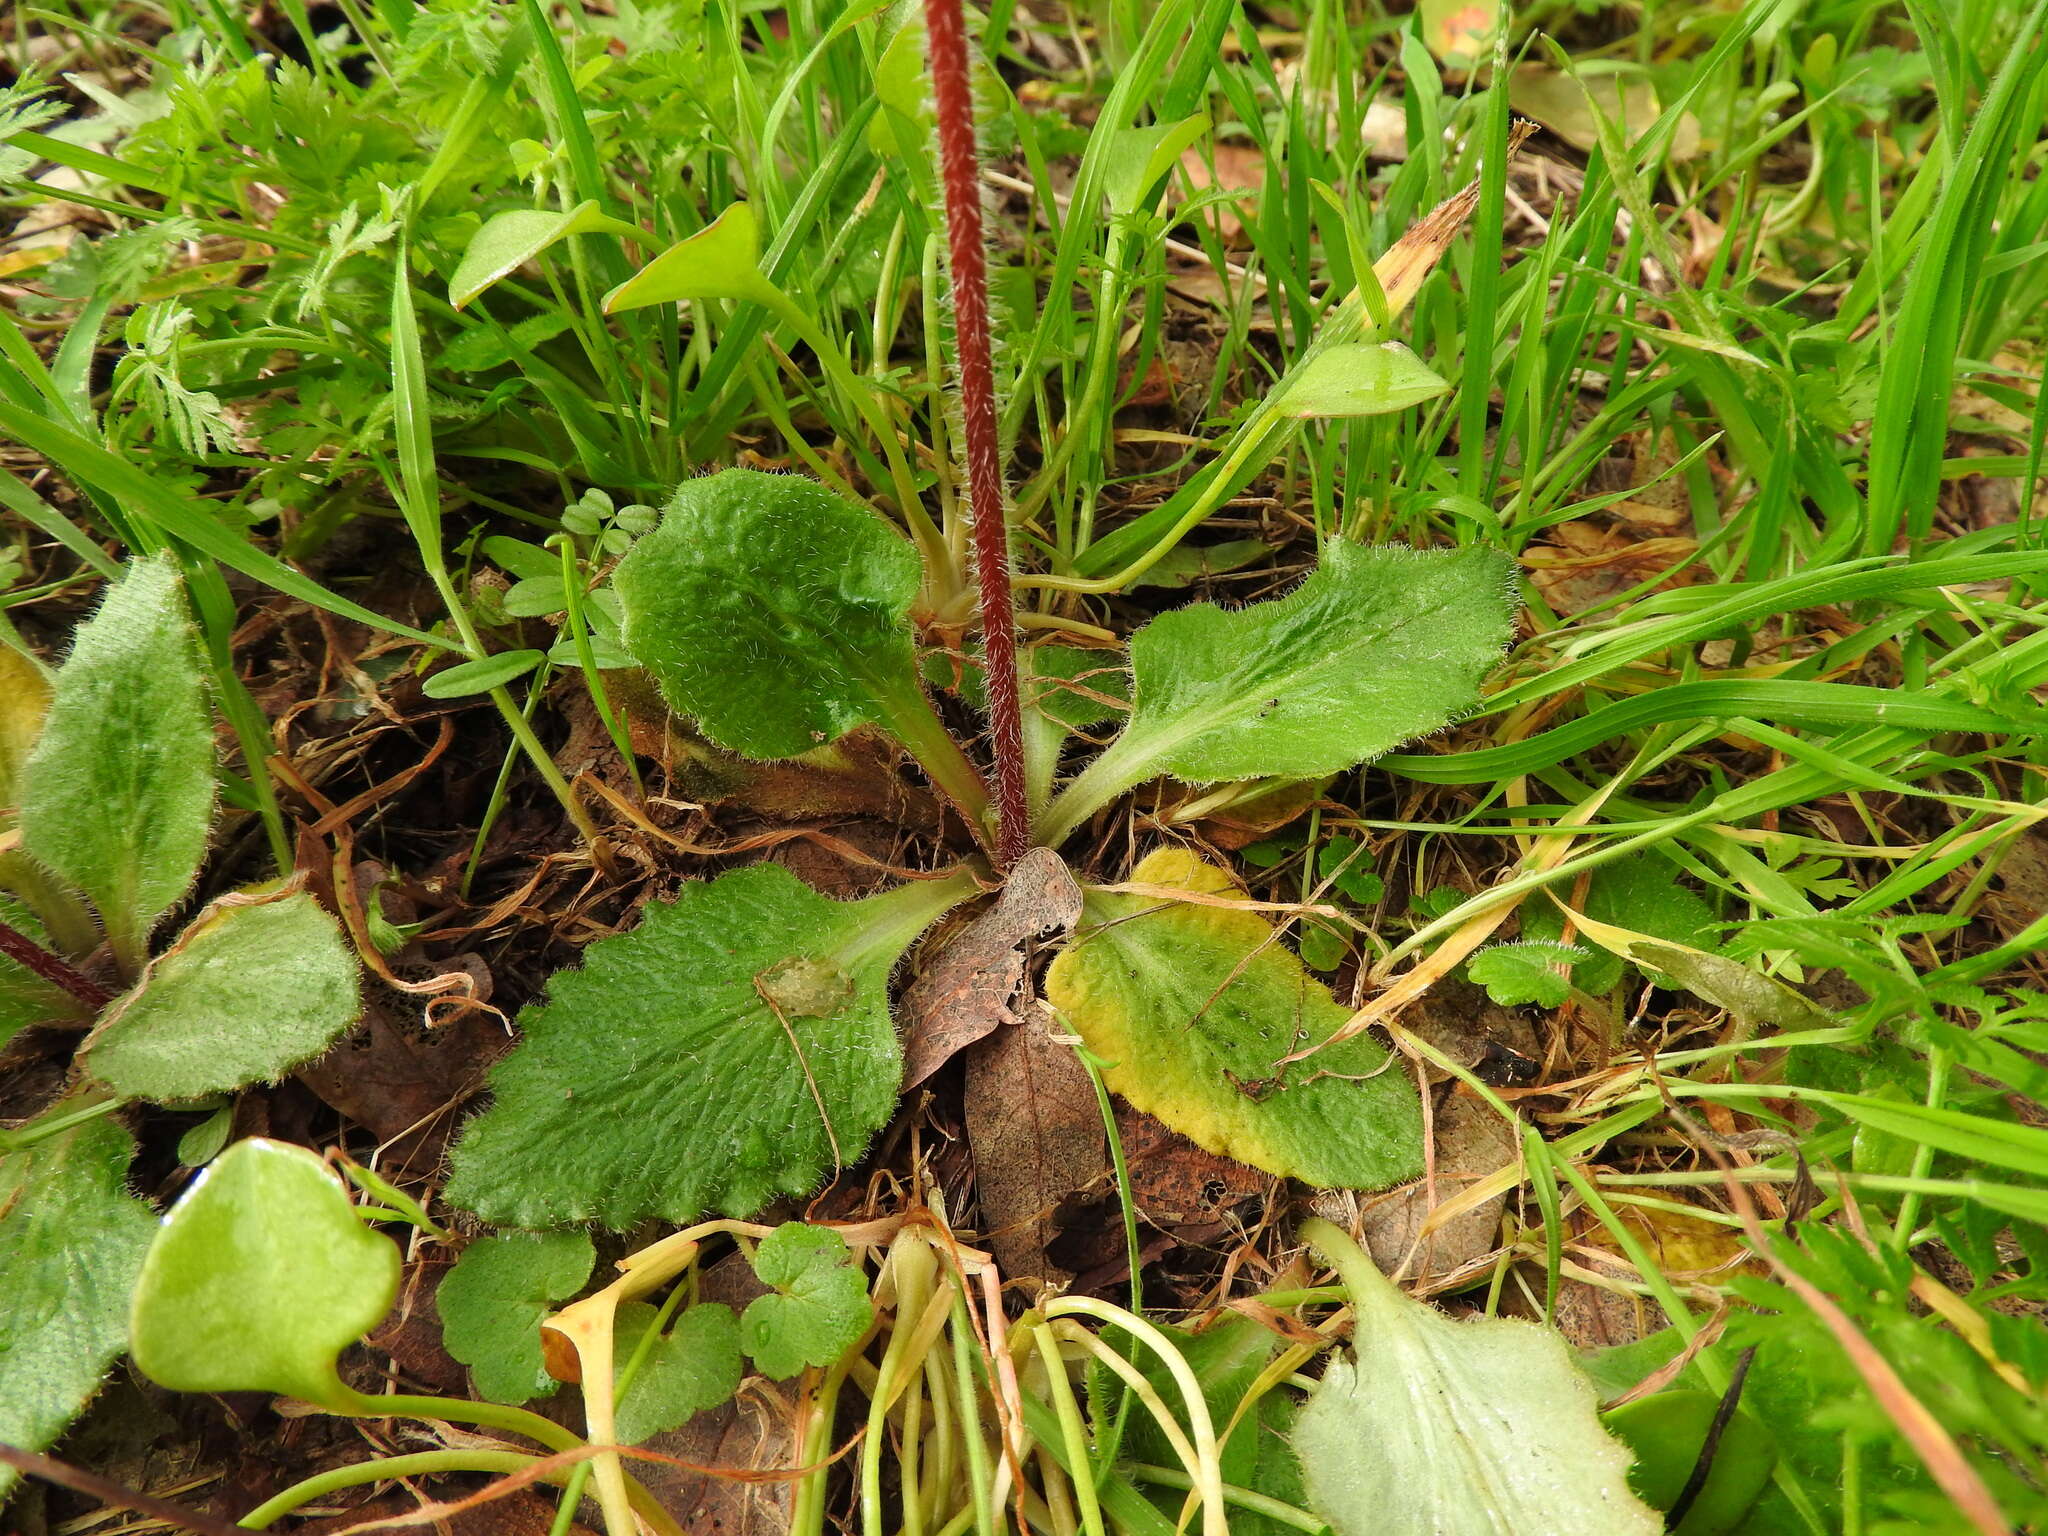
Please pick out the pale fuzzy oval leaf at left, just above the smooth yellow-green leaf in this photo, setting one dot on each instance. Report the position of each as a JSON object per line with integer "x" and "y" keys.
{"x": 249, "y": 992}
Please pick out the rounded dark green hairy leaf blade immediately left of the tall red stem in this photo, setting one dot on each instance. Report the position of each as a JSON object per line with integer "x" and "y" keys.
{"x": 773, "y": 611}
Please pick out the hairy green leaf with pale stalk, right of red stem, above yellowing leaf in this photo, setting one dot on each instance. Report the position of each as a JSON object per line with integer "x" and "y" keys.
{"x": 1375, "y": 648}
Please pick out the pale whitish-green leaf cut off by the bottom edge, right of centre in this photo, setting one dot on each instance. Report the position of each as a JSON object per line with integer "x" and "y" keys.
{"x": 1437, "y": 1426}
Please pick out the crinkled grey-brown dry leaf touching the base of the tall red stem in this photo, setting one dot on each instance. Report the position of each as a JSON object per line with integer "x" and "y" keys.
{"x": 974, "y": 982}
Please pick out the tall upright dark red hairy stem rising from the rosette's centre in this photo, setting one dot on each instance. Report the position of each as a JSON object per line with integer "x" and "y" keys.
{"x": 953, "y": 97}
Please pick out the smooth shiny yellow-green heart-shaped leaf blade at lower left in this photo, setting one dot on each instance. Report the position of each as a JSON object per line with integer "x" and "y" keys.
{"x": 259, "y": 1279}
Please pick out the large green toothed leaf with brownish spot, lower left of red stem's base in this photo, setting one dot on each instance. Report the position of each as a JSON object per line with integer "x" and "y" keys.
{"x": 681, "y": 1068}
